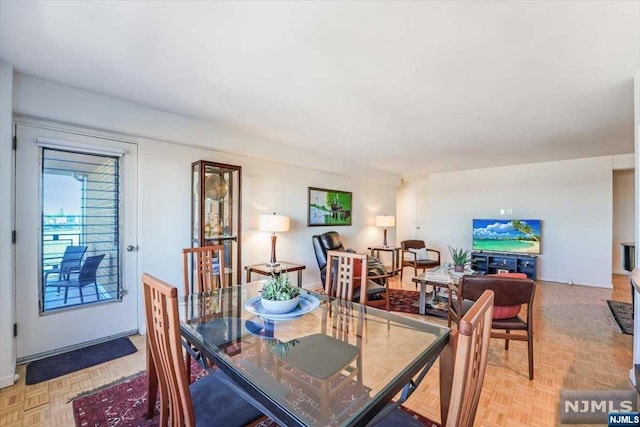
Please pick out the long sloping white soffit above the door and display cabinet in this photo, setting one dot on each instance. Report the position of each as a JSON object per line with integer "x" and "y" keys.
{"x": 43, "y": 99}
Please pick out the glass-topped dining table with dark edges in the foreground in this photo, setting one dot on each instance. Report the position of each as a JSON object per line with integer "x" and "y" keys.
{"x": 326, "y": 363}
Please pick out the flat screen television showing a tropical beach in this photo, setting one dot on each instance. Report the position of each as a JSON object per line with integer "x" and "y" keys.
{"x": 507, "y": 235}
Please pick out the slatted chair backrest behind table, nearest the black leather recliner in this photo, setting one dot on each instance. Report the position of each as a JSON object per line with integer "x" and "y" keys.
{"x": 347, "y": 273}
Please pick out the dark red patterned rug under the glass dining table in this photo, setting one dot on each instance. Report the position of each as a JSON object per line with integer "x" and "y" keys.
{"x": 124, "y": 405}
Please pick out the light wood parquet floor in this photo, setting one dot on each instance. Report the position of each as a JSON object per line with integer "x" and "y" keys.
{"x": 576, "y": 348}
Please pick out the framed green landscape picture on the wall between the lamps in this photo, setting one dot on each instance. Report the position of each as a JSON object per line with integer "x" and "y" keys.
{"x": 328, "y": 207}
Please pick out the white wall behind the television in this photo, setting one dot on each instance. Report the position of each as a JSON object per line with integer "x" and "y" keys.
{"x": 573, "y": 199}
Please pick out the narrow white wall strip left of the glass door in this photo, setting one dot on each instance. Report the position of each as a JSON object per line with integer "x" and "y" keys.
{"x": 7, "y": 291}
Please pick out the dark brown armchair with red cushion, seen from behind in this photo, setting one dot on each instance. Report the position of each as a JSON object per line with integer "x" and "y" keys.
{"x": 510, "y": 294}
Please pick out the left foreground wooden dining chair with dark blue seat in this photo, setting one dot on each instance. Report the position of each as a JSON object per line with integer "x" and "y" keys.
{"x": 209, "y": 401}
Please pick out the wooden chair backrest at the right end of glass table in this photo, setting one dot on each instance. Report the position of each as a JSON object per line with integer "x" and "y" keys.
{"x": 463, "y": 364}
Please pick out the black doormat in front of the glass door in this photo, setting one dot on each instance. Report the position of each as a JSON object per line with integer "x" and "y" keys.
{"x": 62, "y": 364}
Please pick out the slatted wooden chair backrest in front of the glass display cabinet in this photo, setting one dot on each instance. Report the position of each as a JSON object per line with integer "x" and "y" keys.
{"x": 203, "y": 269}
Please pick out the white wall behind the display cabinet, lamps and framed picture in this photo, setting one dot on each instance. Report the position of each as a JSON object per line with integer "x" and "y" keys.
{"x": 266, "y": 187}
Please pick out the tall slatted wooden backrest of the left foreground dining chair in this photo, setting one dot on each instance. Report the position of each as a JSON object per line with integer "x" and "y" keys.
{"x": 163, "y": 337}
